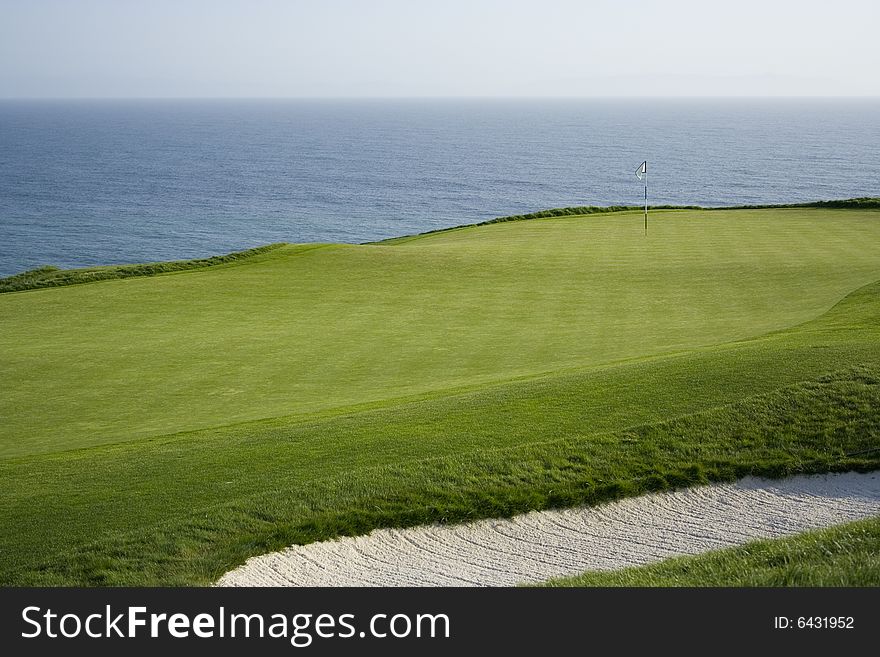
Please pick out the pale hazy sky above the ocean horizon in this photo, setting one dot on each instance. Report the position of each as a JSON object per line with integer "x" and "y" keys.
{"x": 276, "y": 48}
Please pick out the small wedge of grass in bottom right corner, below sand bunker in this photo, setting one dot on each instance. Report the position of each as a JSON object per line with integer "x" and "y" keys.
{"x": 847, "y": 555}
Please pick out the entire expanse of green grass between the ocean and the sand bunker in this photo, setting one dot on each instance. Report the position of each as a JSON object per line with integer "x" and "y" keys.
{"x": 161, "y": 430}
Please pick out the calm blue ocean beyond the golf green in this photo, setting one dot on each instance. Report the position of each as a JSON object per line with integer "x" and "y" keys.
{"x": 111, "y": 181}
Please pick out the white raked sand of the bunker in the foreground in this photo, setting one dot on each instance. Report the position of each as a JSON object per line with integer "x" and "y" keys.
{"x": 540, "y": 545}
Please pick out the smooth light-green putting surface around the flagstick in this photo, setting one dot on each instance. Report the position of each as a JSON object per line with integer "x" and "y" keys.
{"x": 304, "y": 329}
